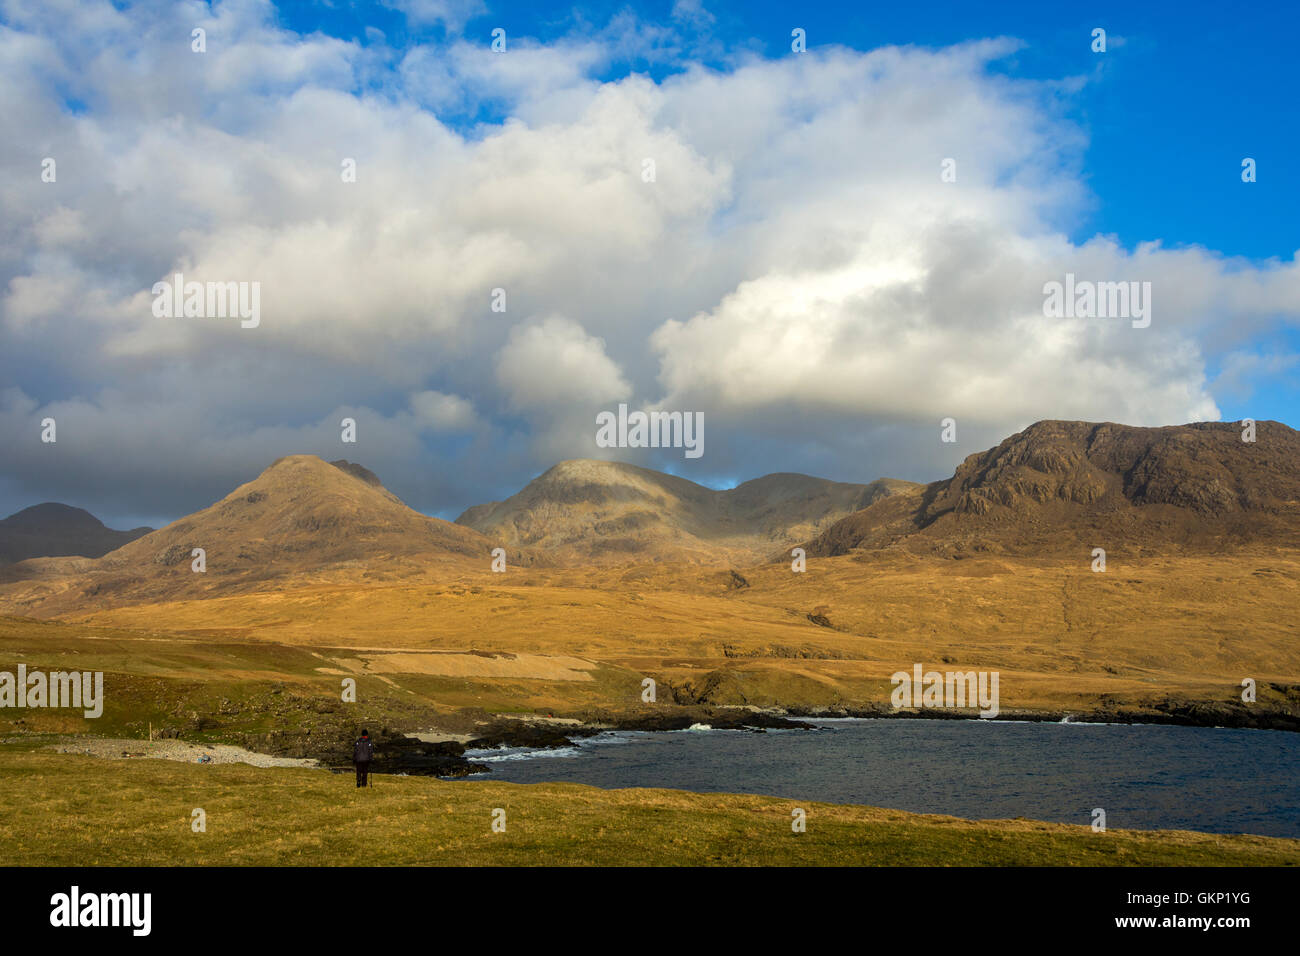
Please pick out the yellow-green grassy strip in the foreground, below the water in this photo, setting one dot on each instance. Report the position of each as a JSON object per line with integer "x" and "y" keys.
{"x": 64, "y": 810}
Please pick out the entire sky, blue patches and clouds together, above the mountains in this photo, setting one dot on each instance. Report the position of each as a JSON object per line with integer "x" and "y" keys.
{"x": 824, "y": 253}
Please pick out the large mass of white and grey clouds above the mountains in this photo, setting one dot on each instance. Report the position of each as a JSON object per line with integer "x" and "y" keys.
{"x": 798, "y": 270}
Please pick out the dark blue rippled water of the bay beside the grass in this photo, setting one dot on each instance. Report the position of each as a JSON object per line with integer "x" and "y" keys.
{"x": 1145, "y": 777}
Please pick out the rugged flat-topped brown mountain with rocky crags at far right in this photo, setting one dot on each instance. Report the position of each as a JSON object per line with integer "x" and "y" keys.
{"x": 1060, "y": 486}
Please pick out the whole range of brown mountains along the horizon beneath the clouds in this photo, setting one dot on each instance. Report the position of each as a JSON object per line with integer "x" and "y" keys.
{"x": 1055, "y": 488}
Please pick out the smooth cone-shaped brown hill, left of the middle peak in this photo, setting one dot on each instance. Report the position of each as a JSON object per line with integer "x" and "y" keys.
{"x": 298, "y": 521}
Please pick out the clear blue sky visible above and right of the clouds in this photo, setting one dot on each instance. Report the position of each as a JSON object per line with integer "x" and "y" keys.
{"x": 1191, "y": 90}
